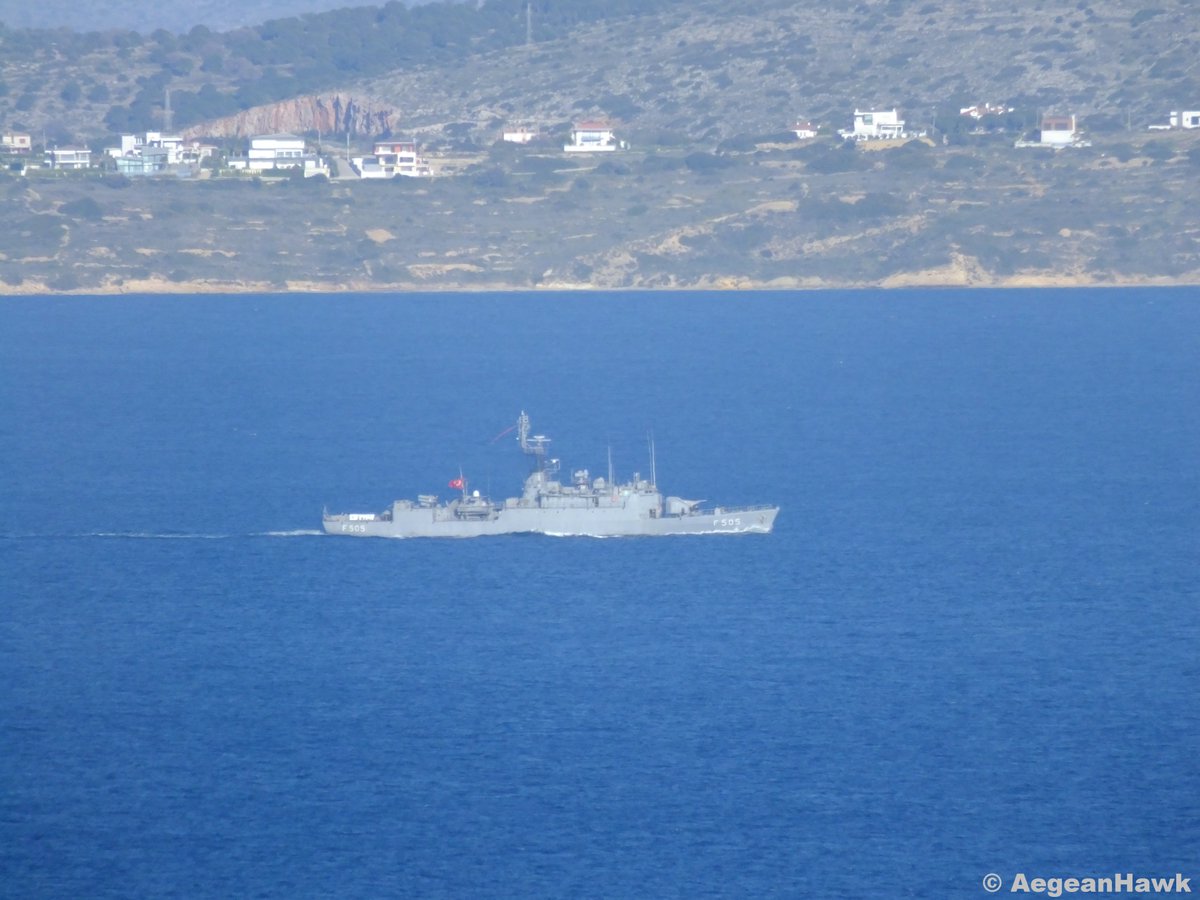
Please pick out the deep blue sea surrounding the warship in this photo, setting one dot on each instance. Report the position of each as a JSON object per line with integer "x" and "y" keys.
{"x": 970, "y": 647}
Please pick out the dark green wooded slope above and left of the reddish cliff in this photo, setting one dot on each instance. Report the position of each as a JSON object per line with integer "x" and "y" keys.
{"x": 94, "y": 85}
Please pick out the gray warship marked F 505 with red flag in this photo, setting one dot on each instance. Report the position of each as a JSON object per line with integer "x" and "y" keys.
{"x": 584, "y": 507}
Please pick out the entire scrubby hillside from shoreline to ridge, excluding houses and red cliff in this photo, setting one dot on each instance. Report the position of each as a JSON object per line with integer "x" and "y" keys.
{"x": 715, "y": 191}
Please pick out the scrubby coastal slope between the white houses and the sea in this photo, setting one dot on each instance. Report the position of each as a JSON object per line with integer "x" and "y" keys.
{"x": 773, "y": 215}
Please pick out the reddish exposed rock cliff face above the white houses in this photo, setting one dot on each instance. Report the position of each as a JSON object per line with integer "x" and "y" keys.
{"x": 327, "y": 113}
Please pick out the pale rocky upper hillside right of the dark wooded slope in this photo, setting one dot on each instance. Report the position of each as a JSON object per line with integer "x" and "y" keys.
{"x": 705, "y": 71}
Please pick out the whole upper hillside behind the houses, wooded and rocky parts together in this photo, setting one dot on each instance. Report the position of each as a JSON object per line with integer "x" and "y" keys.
{"x": 680, "y": 71}
